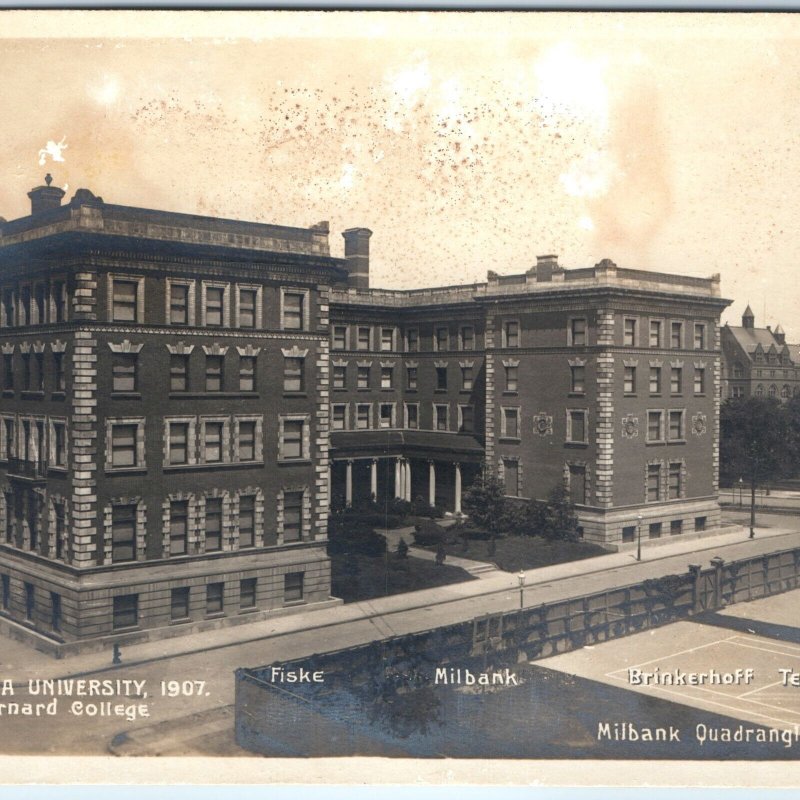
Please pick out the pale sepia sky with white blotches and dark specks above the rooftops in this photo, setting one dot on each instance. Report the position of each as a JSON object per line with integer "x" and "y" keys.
{"x": 466, "y": 141}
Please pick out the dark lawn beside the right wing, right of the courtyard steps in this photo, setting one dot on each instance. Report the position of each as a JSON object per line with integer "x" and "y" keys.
{"x": 513, "y": 553}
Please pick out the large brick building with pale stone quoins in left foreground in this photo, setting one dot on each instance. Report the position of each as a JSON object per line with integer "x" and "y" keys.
{"x": 163, "y": 421}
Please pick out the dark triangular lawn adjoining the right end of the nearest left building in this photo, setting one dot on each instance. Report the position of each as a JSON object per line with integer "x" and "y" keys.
{"x": 358, "y": 577}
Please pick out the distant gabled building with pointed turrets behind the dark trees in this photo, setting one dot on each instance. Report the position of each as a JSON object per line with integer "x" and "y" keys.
{"x": 758, "y": 362}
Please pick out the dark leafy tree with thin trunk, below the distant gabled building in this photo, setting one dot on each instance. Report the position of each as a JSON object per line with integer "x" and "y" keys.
{"x": 753, "y": 443}
